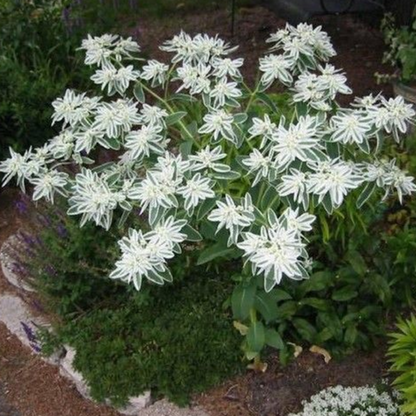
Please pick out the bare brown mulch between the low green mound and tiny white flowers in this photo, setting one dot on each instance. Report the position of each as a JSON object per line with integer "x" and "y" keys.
{"x": 280, "y": 390}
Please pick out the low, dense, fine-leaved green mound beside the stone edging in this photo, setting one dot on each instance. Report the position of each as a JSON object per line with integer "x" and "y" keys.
{"x": 176, "y": 342}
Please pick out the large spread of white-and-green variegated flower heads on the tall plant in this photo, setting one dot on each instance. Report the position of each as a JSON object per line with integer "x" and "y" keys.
{"x": 233, "y": 168}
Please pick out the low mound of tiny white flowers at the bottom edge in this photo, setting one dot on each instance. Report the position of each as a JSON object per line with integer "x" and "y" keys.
{"x": 350, "y": 401}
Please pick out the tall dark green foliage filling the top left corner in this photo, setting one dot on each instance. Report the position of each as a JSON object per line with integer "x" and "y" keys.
{"x": 37, "y": 61}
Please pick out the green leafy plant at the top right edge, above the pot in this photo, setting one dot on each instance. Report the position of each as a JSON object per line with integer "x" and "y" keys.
{"x": 402, "y": 47}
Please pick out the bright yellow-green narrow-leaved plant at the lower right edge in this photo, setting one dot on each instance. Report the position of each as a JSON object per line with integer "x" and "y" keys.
{"x": 402, "y": 353}
